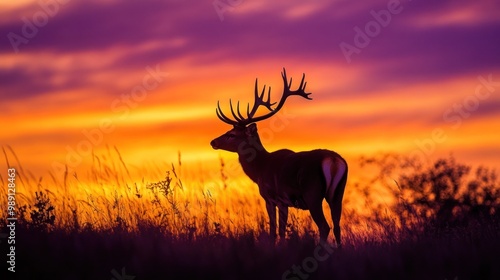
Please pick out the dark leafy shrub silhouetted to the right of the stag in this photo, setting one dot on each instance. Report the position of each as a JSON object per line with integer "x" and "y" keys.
{"x": 445, "y": 193}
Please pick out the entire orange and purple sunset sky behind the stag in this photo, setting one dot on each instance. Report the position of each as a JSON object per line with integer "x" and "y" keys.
{"x": 419, "y": 77}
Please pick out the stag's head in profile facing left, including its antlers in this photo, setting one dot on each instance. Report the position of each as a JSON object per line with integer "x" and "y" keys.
{"x": 244, "y": 131}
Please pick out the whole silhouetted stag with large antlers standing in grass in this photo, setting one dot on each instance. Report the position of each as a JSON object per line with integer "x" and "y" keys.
{"x": 285, "y": 178}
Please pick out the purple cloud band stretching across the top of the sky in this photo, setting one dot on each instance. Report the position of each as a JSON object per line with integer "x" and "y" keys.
{"x": 401, "y": 53}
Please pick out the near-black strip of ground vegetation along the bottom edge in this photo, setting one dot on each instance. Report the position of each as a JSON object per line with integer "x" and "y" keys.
{"x": 459, "y": 253}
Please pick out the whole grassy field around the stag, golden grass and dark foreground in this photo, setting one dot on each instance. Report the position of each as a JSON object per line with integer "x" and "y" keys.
{"x": 175, "y": 220}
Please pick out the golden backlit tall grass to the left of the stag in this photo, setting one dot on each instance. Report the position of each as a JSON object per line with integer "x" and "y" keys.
{"x": 109, "y": 194}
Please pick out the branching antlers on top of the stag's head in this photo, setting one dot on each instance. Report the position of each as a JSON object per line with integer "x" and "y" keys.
{"x": 240, "y": 120}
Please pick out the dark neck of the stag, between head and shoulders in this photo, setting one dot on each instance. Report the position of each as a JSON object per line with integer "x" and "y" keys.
{"x": 252, "y": 157}
